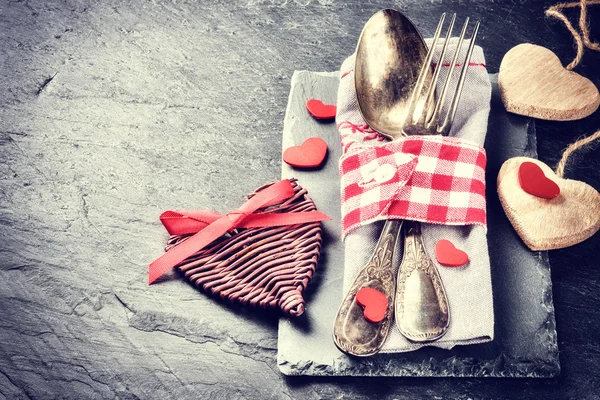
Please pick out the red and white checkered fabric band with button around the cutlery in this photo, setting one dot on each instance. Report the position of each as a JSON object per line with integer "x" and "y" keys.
{"x": 434, "y": 179}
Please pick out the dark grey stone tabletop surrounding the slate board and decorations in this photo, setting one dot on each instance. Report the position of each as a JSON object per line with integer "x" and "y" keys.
{"x": 114, "y": 111}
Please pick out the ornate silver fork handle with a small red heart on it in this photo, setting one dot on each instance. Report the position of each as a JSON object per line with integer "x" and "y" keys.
{"x": 352, "y": 333}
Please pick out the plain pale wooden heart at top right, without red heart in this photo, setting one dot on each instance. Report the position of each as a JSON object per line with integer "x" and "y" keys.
{"x": 533, "y": 82}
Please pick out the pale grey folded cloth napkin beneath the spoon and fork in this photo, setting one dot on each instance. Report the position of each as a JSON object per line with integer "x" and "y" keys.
{"x": 469, "y": 287}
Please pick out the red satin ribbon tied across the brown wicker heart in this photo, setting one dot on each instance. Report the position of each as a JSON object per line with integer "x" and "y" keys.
{"x": 209, "y": 226}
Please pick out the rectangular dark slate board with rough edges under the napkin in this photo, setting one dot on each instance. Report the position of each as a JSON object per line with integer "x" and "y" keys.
{"x": 525, "y": 343}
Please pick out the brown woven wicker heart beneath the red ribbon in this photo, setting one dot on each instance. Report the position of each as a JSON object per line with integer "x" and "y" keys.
{"x": 263, "y": 267}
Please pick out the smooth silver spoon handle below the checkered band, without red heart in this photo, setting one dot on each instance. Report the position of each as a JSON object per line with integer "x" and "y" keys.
{"x": 421, "y": 309}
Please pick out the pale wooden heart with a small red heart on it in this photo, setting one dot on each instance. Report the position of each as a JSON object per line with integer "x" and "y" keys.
{"x": 546, "y": 224}
